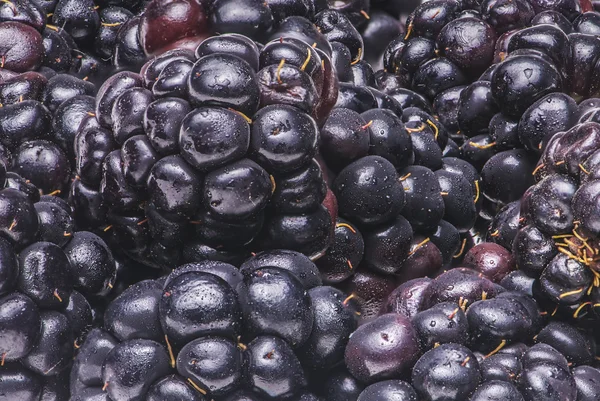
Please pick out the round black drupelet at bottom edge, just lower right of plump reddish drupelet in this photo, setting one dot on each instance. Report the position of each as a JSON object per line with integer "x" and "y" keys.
{"x": 442, "y": 373}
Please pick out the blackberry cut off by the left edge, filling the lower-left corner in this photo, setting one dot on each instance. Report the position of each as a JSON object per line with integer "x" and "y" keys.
{"x": 50, "y": 275}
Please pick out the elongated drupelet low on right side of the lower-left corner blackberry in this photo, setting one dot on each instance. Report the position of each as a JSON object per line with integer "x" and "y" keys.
{"x": 54, "y": 348}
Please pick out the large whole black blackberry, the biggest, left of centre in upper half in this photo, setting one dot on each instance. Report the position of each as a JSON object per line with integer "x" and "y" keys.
{"x": 173, "y": 169}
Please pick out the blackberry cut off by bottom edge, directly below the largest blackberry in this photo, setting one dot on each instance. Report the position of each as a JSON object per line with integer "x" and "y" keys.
{"x": 209, "y": 330}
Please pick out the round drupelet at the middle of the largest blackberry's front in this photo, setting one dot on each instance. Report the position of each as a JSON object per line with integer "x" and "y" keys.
{"x": 205, "y": 144}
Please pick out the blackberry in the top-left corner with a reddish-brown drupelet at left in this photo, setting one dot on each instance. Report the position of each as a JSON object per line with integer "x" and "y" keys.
{"x": 83, "y": 38}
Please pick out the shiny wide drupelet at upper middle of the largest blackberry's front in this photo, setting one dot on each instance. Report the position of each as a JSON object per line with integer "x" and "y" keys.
{"x": 226, "y": 81}
